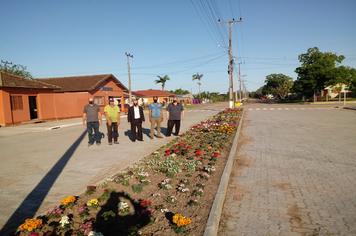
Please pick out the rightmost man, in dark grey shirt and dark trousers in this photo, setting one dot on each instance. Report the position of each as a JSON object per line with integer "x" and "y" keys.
{"x": 175, "y": 112}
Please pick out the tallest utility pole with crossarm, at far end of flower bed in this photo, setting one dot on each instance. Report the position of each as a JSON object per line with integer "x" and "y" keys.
{"x": 231, "y": 61}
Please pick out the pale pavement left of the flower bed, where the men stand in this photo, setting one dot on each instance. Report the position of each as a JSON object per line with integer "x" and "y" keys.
{"x": 39, "y": 168}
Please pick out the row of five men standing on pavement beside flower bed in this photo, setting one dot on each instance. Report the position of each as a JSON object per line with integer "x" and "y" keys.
{"x": 92, "y": 120}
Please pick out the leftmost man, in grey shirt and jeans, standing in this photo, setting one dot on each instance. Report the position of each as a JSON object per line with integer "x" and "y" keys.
{"x": 92, "y": 120}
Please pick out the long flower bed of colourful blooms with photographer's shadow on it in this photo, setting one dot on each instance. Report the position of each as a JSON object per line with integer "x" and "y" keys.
{"x": 167, "y": 192}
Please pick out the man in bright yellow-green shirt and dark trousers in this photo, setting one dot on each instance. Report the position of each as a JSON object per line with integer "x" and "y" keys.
{"x": 112, "y": 114}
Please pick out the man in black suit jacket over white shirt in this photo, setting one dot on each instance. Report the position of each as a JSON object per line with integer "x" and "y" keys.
{"x": 135, "y": 116}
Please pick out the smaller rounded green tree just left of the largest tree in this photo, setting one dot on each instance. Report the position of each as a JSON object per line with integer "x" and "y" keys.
{"x": 279, "y": 85}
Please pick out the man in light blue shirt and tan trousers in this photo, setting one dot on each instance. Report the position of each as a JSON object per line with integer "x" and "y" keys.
{"x": 156, "y": 117}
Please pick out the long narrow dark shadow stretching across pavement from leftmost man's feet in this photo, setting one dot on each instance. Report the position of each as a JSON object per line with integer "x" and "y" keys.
{"x": 34, "y": 199}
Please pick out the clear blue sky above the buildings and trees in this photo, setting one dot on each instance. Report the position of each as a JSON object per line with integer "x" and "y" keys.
{"x": 177, "y": 38}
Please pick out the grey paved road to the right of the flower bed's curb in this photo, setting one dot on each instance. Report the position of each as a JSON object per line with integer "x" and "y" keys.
{"x": 295, "y": 173}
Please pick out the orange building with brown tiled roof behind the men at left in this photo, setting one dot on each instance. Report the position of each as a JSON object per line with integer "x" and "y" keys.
{"x": 55, "y": 98}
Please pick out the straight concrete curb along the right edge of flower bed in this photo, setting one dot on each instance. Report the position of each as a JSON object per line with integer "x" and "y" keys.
{"x": 212, "y": 226}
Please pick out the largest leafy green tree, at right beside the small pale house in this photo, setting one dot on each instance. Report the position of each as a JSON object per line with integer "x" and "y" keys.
{"x": 316, "y": 70}
